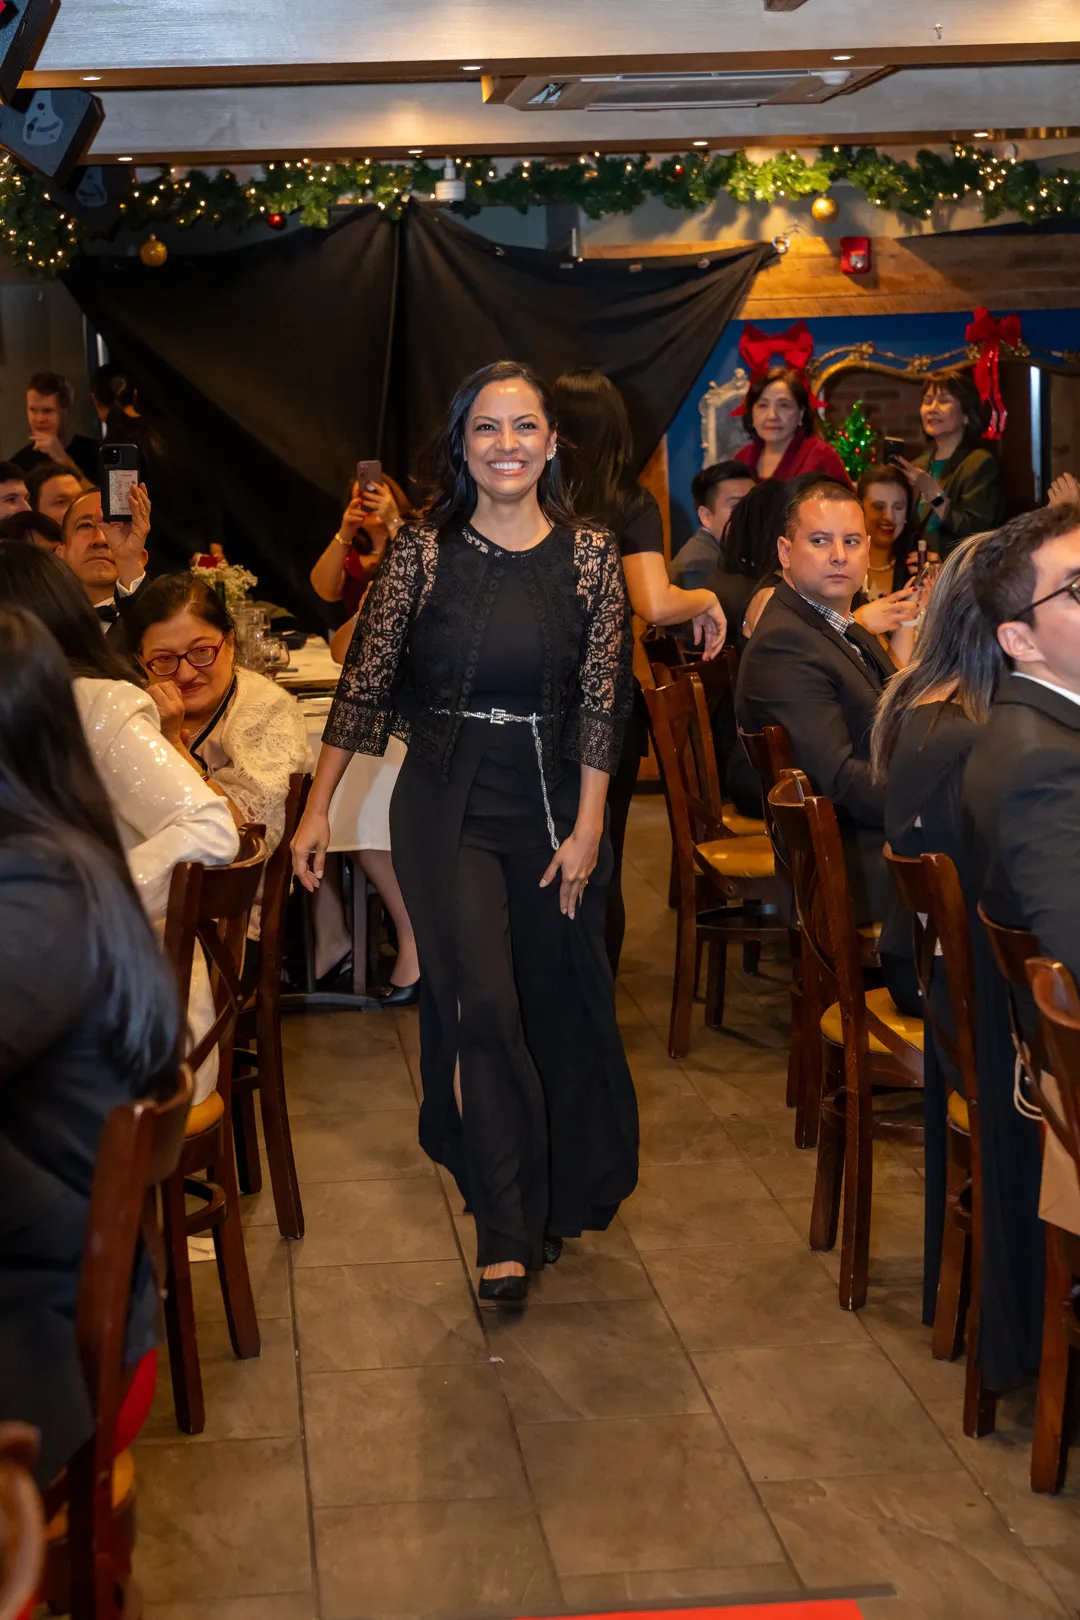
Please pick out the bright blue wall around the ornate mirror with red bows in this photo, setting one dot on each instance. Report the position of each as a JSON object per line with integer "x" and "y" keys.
{"x": 912, "y": 335}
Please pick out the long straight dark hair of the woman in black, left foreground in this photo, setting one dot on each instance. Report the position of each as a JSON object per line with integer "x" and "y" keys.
{"x": 53, "y": 801}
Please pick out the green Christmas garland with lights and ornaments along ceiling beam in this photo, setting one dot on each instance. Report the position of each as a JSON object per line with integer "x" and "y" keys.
{"x": 40, "y": 236}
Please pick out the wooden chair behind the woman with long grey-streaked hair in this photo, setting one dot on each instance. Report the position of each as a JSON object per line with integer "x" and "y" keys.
{"x": 930, "y": 889}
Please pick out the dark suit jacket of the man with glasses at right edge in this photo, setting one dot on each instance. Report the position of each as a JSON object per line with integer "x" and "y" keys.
{"x": 1023, "y": 806}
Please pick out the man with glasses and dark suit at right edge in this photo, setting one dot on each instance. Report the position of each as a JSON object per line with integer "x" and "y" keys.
{"x": 1023, "y": 782}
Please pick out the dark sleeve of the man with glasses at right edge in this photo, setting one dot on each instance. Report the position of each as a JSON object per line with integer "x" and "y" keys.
{"x": 1039, "y": 833}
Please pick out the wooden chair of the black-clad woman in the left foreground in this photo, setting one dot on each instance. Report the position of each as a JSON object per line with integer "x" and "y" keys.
{"x": 91, "y": 1506}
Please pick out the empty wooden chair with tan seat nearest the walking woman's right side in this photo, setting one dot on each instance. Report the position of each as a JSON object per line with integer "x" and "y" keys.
{"x": 725, "y": 882}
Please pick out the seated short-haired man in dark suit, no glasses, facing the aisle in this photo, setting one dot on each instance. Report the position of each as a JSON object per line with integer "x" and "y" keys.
{"x": 810, "y": 668}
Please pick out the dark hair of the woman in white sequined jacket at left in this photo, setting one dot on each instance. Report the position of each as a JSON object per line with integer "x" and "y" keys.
{"x": 46, "y": 587}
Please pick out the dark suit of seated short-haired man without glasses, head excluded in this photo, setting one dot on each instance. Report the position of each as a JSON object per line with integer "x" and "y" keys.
{"x": 799, "y": 673}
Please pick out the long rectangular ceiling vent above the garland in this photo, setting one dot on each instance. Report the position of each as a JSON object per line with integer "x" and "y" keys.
{"x": 678, "y": 92}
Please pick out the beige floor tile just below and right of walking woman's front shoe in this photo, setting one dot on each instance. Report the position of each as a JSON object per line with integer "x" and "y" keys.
{"x": 613, "y": 1360}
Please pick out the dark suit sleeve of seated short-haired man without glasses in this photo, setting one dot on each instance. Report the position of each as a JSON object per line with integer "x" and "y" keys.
{"x": 796, "y": 689}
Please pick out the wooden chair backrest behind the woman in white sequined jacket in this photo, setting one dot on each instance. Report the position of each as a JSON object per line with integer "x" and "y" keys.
{"x": 210, "y": 908}
